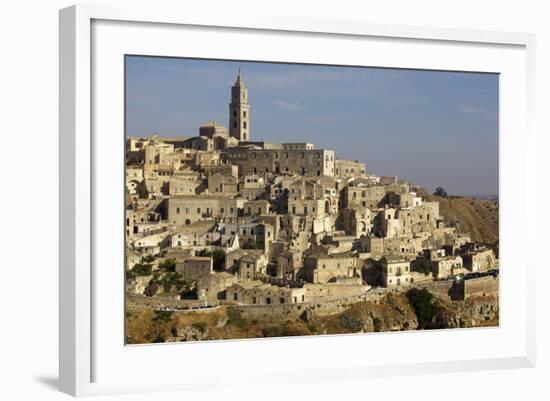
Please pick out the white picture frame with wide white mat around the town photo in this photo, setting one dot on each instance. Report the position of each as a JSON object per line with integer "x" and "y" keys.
{"x": 84, "y": 337}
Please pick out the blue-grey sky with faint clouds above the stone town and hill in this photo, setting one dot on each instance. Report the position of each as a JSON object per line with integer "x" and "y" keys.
{"x": 432, "y": 128}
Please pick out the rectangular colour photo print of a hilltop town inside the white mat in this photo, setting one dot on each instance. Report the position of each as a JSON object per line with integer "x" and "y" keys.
{"x": 277, "y": 199}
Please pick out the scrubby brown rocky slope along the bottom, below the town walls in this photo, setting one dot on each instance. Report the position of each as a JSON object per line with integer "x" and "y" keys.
{"x": 391, "y": 313}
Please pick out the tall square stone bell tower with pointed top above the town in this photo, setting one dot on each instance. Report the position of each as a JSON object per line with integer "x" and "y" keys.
{"x": 239, "y": 111}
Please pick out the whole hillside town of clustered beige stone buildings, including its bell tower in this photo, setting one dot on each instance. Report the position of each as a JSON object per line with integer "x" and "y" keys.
{"x": 292, "y": 223}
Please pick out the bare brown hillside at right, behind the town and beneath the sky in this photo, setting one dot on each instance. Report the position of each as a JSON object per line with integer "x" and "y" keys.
{"x": 477, "y": 217}
